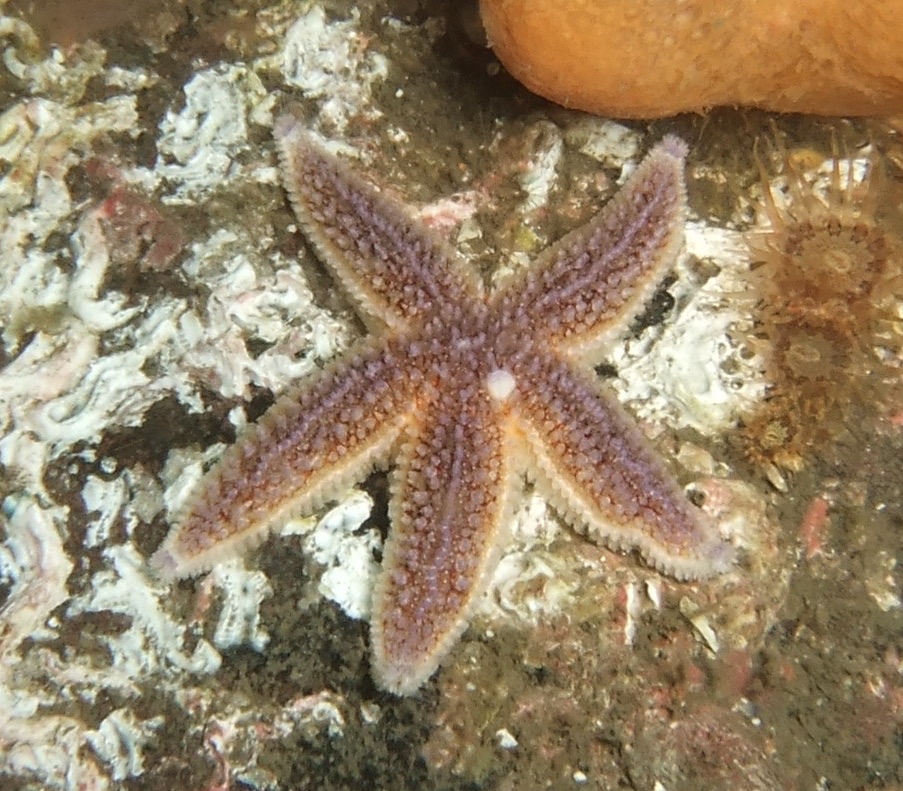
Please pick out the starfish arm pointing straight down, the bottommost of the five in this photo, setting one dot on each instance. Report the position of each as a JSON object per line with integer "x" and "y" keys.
{"x": 450, "y": 497}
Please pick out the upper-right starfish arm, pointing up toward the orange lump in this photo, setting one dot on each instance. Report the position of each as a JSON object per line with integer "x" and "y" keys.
{"x": 595, "y": 279}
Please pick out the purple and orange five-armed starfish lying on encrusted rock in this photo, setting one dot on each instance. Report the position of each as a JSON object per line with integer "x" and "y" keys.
{"x": 469, "y": 391}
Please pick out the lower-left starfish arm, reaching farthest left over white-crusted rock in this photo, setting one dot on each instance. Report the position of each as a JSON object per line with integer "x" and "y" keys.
{"x": 307, "y": 448}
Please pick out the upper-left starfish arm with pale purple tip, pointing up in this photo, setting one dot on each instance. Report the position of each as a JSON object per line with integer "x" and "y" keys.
{"x": 397, "y": 271}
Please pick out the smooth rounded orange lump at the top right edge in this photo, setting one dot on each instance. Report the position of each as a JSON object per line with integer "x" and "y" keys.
{"x": 651, "y": 58}
